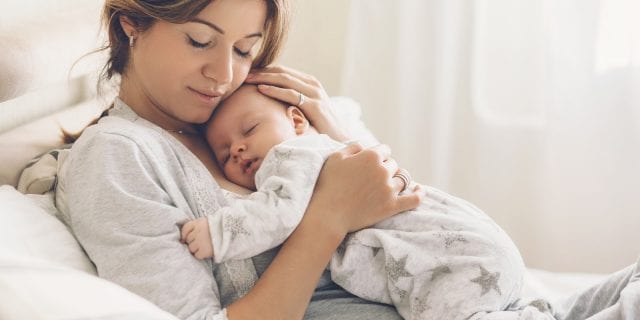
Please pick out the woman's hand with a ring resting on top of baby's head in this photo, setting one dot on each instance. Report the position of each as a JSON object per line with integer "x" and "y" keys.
{"x": 304, "y": 91}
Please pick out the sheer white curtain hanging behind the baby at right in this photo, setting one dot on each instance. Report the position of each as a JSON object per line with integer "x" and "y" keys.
{"x": 529, "y": 109}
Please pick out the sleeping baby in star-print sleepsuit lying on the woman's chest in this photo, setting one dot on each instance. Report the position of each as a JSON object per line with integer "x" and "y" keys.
{"x": 445, "y": 259}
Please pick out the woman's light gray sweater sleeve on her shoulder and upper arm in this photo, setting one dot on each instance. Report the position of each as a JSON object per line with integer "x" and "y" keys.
{"x": 128, "y": 224}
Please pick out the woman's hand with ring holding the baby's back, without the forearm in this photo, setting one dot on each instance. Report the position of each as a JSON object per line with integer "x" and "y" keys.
{"x": 356, "y": 189}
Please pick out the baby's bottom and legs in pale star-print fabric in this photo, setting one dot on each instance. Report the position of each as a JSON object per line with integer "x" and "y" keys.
{"x": 432, "y": 264}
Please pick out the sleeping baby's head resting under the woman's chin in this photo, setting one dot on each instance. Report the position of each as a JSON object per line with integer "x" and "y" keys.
{"x": 245, "y": 127}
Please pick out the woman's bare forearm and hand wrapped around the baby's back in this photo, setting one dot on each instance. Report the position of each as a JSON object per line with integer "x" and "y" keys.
{"x": 354, "y": 190}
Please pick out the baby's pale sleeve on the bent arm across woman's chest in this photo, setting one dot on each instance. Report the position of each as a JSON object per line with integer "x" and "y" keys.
{"x": 264, "y": 219}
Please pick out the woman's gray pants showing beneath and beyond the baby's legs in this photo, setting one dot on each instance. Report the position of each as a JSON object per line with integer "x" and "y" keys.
{"x": 615, "y": 298}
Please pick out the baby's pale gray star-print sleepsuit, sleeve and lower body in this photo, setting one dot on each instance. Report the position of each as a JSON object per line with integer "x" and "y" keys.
{"x": 445, "y": 259}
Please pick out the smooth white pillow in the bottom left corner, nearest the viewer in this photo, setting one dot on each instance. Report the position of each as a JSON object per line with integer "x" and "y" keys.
{"x": 37, "y": 290}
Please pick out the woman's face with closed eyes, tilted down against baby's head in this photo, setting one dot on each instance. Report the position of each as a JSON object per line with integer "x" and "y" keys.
{"x": 182, "y": 71}
